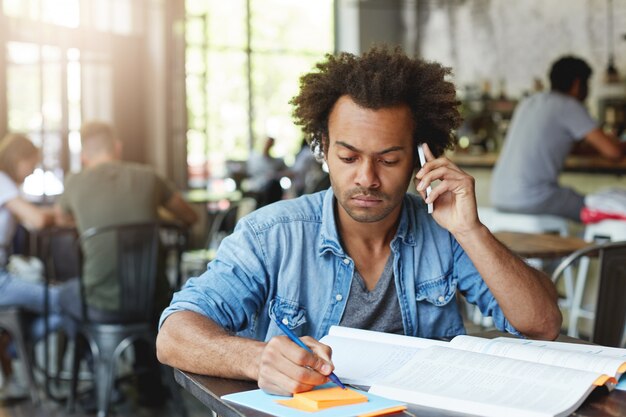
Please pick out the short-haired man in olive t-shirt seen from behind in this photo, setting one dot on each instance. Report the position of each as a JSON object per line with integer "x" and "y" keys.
{"x": 106, "y": 192}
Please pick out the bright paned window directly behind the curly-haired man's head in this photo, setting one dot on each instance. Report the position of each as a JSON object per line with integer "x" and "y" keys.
{"x": 243, "y": 62}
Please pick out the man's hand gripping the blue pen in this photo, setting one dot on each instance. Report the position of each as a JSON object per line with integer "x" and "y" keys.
{"x": 286, "y": 368}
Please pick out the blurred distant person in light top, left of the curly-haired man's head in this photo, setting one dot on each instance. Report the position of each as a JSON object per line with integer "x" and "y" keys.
{"x": 264, "y": 174}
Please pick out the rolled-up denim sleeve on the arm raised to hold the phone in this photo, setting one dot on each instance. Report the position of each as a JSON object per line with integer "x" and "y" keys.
{"x": 476, "y": 291}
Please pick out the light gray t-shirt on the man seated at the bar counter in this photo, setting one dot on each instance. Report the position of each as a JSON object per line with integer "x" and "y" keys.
{"x": 543, "y": 129}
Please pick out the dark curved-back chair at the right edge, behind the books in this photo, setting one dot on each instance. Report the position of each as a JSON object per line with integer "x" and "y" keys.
{"x": 610, "y": 314}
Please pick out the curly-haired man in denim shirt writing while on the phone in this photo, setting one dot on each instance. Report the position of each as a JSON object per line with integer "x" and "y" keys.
{"x": 364, "y": 253}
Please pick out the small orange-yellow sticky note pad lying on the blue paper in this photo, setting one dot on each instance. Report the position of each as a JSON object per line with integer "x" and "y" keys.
{"x": 324, "y": 398}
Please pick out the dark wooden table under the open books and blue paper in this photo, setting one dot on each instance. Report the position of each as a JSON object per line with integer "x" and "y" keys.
{"x": 209, "y": 390}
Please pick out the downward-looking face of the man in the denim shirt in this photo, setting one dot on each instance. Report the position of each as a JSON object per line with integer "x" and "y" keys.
{"x": 370, "y": 159}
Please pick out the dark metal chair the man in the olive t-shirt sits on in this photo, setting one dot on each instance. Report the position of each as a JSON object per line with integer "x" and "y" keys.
{"x": 110, "y": 334}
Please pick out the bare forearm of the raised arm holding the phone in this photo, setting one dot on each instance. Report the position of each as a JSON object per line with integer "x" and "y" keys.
{"x": 527, "y": 297}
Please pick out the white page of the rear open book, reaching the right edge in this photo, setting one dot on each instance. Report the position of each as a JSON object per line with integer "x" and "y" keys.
{"x": 541, "y": 354}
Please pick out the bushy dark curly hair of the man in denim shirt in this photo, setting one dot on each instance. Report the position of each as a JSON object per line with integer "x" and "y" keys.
{"x": 381, "y": 77}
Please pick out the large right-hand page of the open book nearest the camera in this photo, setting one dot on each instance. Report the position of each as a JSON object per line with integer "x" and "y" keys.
{"x": 474, "y": 383}
